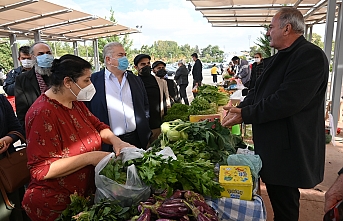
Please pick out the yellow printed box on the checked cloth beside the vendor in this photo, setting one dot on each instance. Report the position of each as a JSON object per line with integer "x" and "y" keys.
{"x": 236, "y": 181}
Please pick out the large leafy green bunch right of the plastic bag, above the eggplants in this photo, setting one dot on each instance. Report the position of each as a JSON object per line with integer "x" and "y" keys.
{"x": 170, "y": 174}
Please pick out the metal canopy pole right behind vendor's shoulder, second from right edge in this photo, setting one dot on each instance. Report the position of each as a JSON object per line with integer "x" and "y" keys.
{"x": 328, "y": 36}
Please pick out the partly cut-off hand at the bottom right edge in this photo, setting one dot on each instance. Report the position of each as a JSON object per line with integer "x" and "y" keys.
{"x": 334, "y": 194}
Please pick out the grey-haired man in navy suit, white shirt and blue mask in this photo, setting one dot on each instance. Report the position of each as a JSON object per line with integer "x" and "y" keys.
{"x": 120, "y": 99}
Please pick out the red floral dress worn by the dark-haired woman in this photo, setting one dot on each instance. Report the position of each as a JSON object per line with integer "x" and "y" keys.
{"x": 53, "y": 132}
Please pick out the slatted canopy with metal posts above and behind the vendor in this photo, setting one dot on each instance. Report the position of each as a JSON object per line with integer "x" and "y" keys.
{"x": 246, "y": 13}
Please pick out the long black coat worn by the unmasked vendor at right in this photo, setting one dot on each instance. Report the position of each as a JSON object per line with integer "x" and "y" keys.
{"x": 286, "y": 109}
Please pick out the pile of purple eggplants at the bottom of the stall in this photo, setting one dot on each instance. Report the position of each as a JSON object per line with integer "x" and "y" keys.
{"x": 183, "y": 205}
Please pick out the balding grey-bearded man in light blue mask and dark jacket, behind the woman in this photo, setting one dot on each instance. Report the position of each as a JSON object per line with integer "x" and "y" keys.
{"x": 31, "y": 84}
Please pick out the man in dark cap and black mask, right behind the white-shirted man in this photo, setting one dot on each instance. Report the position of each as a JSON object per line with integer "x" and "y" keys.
{"x": 155, "y": 98}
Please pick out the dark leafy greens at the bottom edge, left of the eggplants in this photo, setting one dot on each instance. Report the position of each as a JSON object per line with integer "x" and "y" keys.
{"x": 80, "y": 209}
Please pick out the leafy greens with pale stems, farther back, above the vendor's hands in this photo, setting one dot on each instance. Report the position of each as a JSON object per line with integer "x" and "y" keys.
{"x": 213, "y": 95}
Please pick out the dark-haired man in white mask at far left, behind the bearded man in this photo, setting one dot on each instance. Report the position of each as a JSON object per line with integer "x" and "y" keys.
{"x": 26, "y": 65}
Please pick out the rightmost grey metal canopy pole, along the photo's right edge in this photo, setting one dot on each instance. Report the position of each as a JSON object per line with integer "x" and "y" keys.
{"x": 337, "y": 69}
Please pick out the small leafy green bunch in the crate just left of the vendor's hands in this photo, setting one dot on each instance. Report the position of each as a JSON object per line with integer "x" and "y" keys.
{"x": 201, "y": 106}
